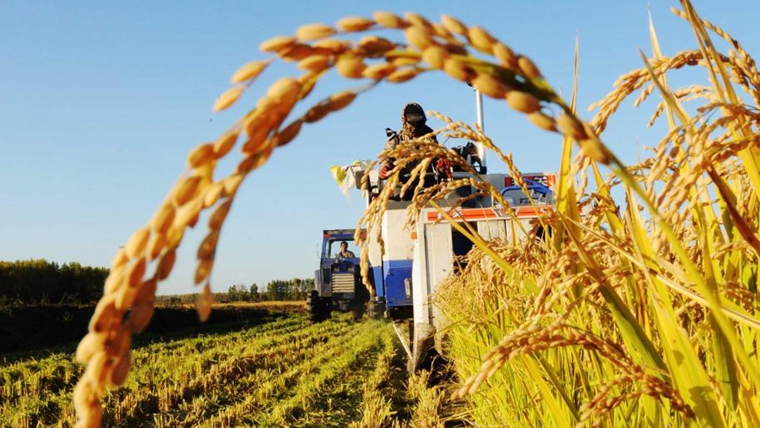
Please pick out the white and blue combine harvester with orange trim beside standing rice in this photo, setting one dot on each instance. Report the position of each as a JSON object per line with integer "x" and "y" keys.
{"x": 414, "y": 263}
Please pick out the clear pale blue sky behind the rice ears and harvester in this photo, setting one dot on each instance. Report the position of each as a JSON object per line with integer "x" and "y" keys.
{"x": 101, "y": 101}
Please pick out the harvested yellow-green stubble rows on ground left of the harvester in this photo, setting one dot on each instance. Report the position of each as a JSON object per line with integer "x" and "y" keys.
{"x": 287, "y": 372}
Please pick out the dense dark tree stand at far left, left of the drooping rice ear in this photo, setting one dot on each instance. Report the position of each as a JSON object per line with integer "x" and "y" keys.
{"x": 35, "y": 282}
